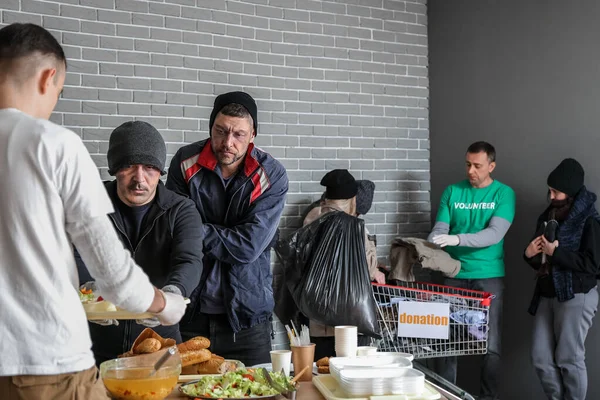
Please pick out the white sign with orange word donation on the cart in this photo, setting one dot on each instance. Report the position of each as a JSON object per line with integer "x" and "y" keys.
{"x": 423, "y": 320}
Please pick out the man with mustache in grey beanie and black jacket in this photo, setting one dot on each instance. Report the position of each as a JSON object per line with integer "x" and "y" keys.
{"x": 162, "y": 230}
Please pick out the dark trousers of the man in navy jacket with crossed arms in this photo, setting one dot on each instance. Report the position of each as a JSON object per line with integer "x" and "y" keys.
{"x": 251, "y": 346}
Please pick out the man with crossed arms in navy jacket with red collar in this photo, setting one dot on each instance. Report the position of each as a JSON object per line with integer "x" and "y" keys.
{"x": 240, "y": 192}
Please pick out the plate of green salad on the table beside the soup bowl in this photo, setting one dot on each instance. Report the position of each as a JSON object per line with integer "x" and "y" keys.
{"x": 241, "y": 384}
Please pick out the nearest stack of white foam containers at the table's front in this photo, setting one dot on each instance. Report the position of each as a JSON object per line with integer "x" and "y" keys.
{"x": 382, "y": 381}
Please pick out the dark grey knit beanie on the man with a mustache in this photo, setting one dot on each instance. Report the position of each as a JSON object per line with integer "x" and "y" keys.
{"x": 136, "y": 142}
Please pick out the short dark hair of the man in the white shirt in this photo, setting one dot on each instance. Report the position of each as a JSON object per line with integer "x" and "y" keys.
{"x": 23, "y": 40}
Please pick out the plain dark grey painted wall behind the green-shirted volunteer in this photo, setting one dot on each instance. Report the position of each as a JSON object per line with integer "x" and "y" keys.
{"x": 524, "y": 76}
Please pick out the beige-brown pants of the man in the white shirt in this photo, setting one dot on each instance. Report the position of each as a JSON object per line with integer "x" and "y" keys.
{"x": 82, "y": 385}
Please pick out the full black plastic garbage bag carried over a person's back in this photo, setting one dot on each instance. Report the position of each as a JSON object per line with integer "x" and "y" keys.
{"x": 326, "y": 274}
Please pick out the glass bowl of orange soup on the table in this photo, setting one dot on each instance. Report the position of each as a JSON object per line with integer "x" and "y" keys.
{"x": 131, "y": 378}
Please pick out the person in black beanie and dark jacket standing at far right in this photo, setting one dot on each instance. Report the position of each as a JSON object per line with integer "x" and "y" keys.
{"x": 566, "y": 256}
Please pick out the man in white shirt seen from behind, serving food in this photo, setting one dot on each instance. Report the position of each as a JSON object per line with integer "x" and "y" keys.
{"x": 51, "y": 196}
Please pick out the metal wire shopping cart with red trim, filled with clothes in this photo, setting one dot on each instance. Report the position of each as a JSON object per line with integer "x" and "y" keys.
{"x": 467, "y": 322}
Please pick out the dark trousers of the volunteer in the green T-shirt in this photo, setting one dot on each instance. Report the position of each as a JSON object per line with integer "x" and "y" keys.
{"x": 490, "y": 372}
